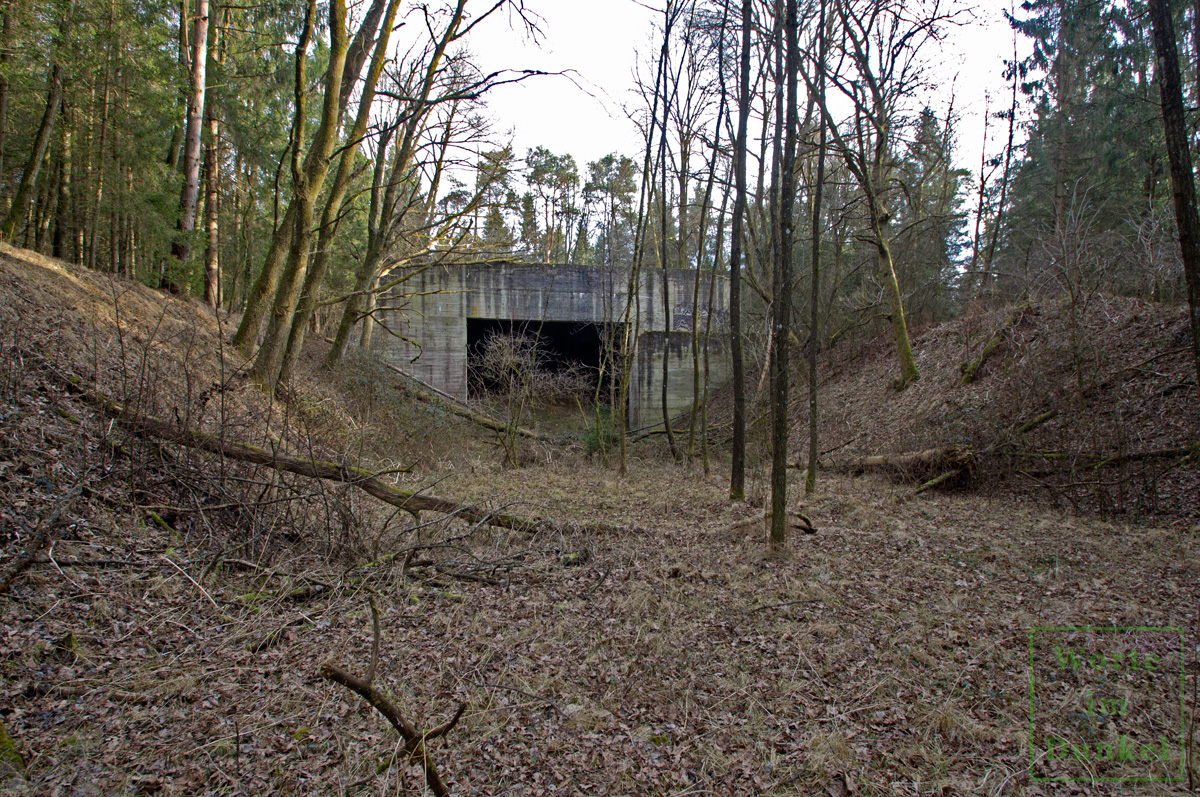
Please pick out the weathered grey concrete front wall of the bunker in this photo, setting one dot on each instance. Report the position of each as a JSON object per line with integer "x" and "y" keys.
{"x": 431, "y": 311}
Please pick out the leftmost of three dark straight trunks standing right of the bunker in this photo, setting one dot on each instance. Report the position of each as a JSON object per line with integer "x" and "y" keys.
{"x": 737, "y": 475}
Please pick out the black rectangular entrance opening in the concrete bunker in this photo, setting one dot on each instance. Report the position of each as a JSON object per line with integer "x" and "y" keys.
{"x": 561, "y": 346}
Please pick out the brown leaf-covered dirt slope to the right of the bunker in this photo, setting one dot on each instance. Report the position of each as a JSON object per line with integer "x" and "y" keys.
{"x": 1124, "y": 394}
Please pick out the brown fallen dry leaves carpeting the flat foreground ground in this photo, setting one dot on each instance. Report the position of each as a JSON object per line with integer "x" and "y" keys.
{"x": 889, "y": 654}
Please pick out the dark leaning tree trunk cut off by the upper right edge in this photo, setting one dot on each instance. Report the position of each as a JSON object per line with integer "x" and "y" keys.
{"x": 1180, "y": 154}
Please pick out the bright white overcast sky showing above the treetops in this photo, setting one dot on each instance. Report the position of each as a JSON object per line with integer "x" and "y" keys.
{"x": 601, "y": 43}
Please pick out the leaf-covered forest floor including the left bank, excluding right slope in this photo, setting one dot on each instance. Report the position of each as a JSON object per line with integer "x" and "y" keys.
{"x": 170, "y": 637}
